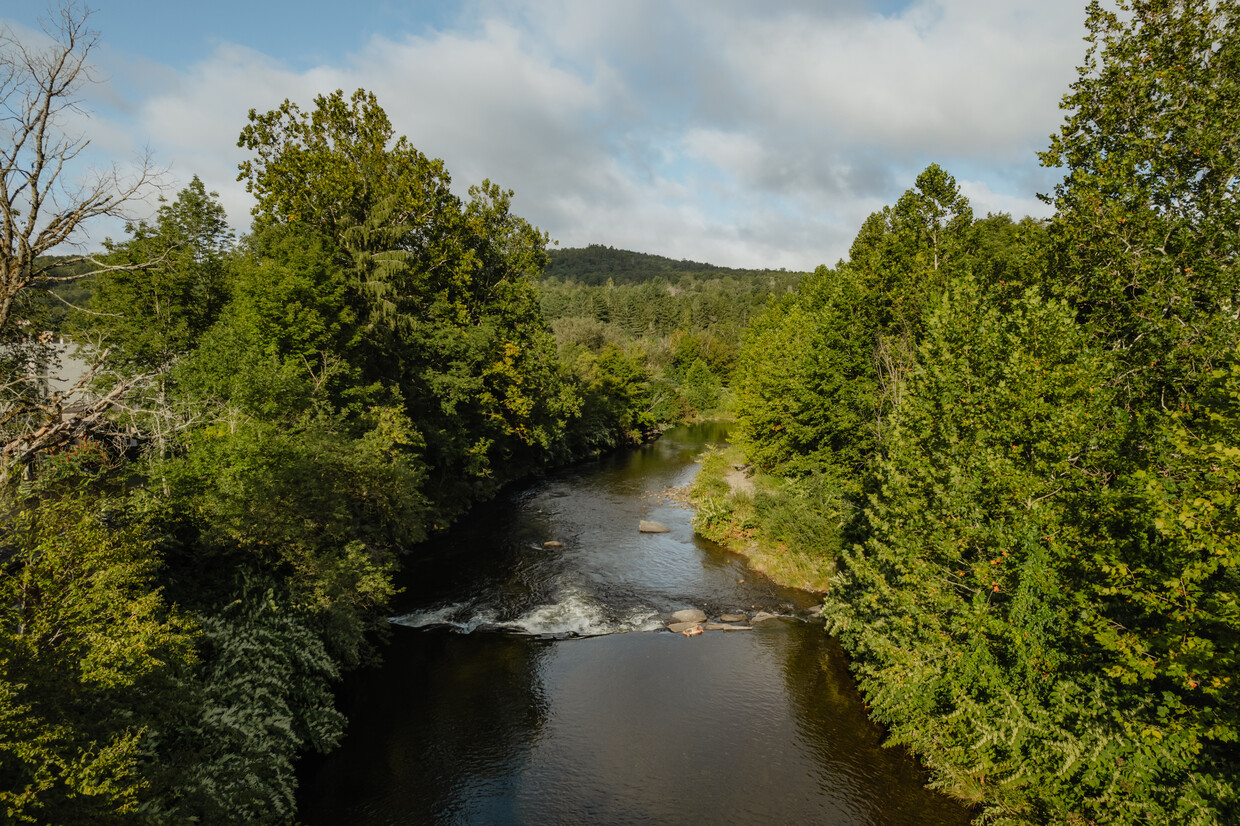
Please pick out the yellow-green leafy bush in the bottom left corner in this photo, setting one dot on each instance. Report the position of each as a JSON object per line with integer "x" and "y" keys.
{"x": 90, "y": 659}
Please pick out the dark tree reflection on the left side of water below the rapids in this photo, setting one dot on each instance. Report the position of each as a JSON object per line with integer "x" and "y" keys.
{"x": 440, "y": 735}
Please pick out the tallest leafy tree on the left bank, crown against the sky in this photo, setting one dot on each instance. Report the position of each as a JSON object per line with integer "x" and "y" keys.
{"x": 443, "y": 288}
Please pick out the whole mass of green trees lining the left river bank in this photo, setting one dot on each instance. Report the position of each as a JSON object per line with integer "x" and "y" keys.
{"x": 199, "y": 544}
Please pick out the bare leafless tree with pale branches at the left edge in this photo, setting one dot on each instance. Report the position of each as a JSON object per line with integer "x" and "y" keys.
{"x": 43, "y": 209}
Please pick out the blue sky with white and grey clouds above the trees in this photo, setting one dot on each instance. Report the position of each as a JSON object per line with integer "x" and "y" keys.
{"x": 740, "y": 133}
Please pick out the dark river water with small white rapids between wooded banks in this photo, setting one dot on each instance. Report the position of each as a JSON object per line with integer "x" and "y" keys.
{"x": 531, "y": 686}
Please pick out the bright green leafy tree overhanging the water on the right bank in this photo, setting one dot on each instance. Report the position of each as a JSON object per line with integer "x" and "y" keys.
{"x": 958, "y": 600}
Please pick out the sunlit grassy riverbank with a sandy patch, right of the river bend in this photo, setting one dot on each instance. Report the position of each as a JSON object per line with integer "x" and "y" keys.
{"x": 787, "y": 531}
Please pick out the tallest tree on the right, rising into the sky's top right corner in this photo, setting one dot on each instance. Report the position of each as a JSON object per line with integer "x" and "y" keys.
{"x": 1145, "y": 236}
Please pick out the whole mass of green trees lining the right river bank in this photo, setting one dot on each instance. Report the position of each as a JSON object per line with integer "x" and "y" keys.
{"x": 1020, "y": 443}
